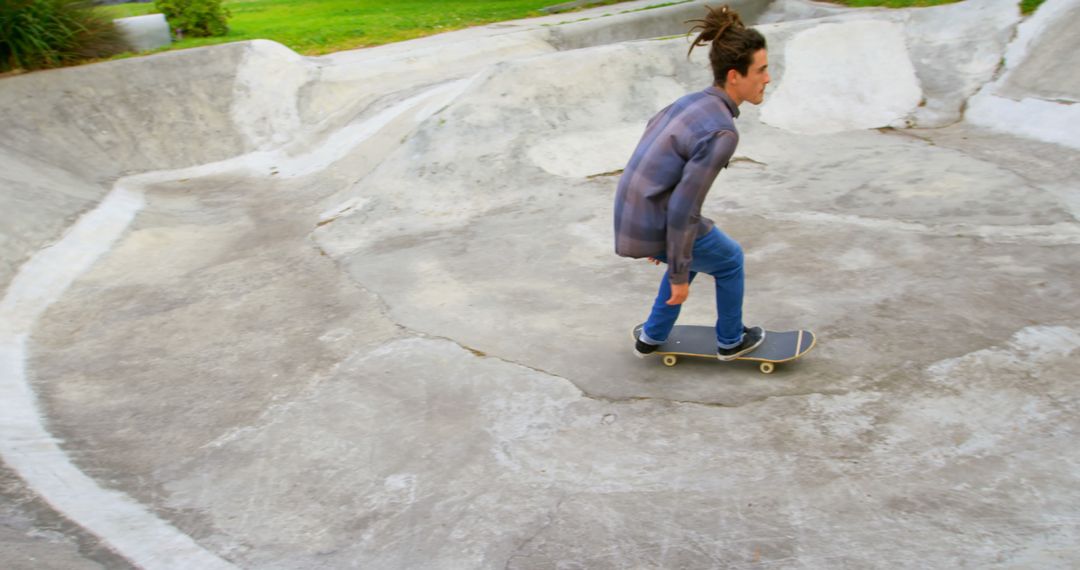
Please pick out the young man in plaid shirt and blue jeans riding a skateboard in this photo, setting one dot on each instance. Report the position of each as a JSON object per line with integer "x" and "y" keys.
{"x": 660, "y": 194}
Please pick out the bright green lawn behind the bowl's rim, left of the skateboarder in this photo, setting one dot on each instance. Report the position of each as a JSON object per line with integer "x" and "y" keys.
{"x": 316, "y": 28}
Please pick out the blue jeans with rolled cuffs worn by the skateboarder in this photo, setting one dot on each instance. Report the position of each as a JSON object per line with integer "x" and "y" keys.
{"x": 722, "y": 257}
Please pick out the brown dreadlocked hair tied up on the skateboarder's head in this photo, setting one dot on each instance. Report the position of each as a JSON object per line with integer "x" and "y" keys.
{"x": 734, "y": 45}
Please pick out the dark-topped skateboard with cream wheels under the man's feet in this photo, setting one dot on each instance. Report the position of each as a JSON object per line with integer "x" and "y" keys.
{"x": 696, "y": 341}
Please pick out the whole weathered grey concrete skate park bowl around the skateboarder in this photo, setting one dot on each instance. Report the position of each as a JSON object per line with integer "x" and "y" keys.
{"x": 363, "y": 310}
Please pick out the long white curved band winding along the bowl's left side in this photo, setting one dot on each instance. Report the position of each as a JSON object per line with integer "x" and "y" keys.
{"x": 121, "y": 523}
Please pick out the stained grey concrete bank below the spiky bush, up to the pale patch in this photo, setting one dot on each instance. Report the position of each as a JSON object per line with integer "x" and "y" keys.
{"x": 70, "y": 133}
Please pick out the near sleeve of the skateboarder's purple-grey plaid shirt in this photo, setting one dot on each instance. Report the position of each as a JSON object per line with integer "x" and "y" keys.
{"x": 709, "y": 157}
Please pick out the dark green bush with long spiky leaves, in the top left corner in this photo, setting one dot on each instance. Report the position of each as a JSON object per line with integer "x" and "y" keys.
{"x": 44, "y": 34}
